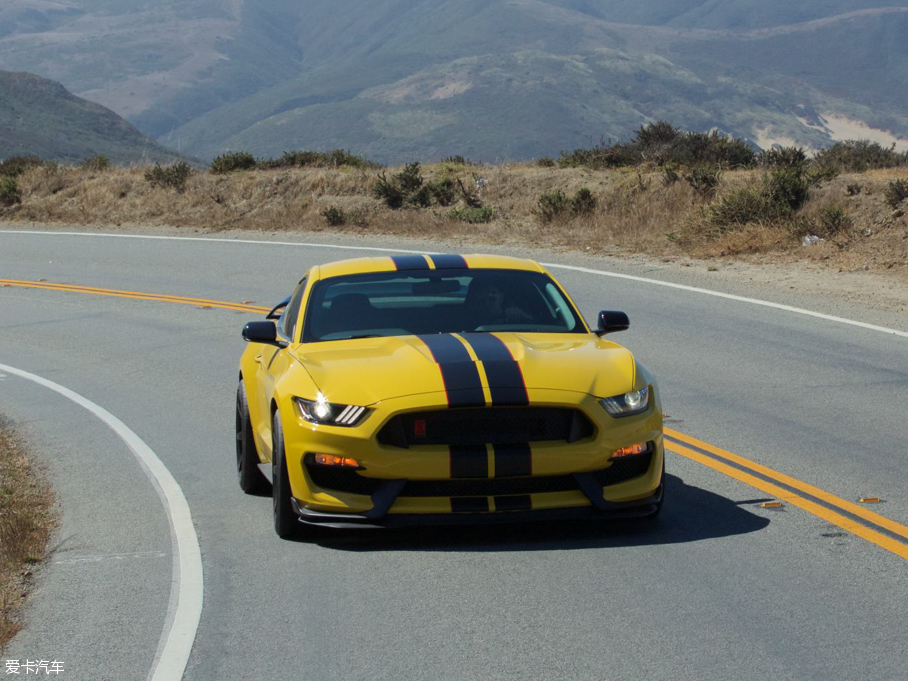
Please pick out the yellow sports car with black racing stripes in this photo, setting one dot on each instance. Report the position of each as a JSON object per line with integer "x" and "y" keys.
{"x": 416, "y": 389}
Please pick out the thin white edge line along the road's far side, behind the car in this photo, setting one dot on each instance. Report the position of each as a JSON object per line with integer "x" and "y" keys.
{"x": 585, "y": 270}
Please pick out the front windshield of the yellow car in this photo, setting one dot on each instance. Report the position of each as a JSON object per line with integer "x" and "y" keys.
{"x": 443, "y": 301}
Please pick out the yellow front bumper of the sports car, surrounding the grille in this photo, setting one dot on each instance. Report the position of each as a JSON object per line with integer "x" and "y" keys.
{"x": 400, "y": 477}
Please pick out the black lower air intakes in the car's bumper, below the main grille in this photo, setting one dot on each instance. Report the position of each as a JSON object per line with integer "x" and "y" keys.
{"x": 350, "y": 481}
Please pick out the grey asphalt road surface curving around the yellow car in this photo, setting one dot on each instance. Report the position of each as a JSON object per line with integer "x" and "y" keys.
{"x": 717, "y": 588}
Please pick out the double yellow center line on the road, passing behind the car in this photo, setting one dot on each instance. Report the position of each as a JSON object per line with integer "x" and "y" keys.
{"x": 851, "y": 517}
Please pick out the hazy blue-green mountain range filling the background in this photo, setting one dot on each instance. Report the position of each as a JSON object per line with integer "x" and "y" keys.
{"x": 490, "y": 79}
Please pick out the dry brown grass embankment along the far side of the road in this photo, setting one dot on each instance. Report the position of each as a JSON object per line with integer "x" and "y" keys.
{"x": 637, "y": 212}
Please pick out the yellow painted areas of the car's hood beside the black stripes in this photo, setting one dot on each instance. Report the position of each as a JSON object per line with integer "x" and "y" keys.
{"x": 368, "y": 370}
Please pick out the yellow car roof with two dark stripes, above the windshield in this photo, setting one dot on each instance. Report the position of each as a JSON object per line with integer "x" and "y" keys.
{"x": 413, "y": 262}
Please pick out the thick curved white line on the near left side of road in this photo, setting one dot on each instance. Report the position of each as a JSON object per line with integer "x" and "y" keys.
{"x": 187, "y": 584}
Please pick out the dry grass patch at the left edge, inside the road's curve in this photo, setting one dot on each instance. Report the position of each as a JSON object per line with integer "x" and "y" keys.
{"x": 26, "y": 521}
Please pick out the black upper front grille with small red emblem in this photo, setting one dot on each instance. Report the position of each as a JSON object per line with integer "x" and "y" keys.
{"x": 486, "y": 425}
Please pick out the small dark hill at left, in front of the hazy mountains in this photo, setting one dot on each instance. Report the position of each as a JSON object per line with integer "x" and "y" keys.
{"x": 40, "y": 117}
